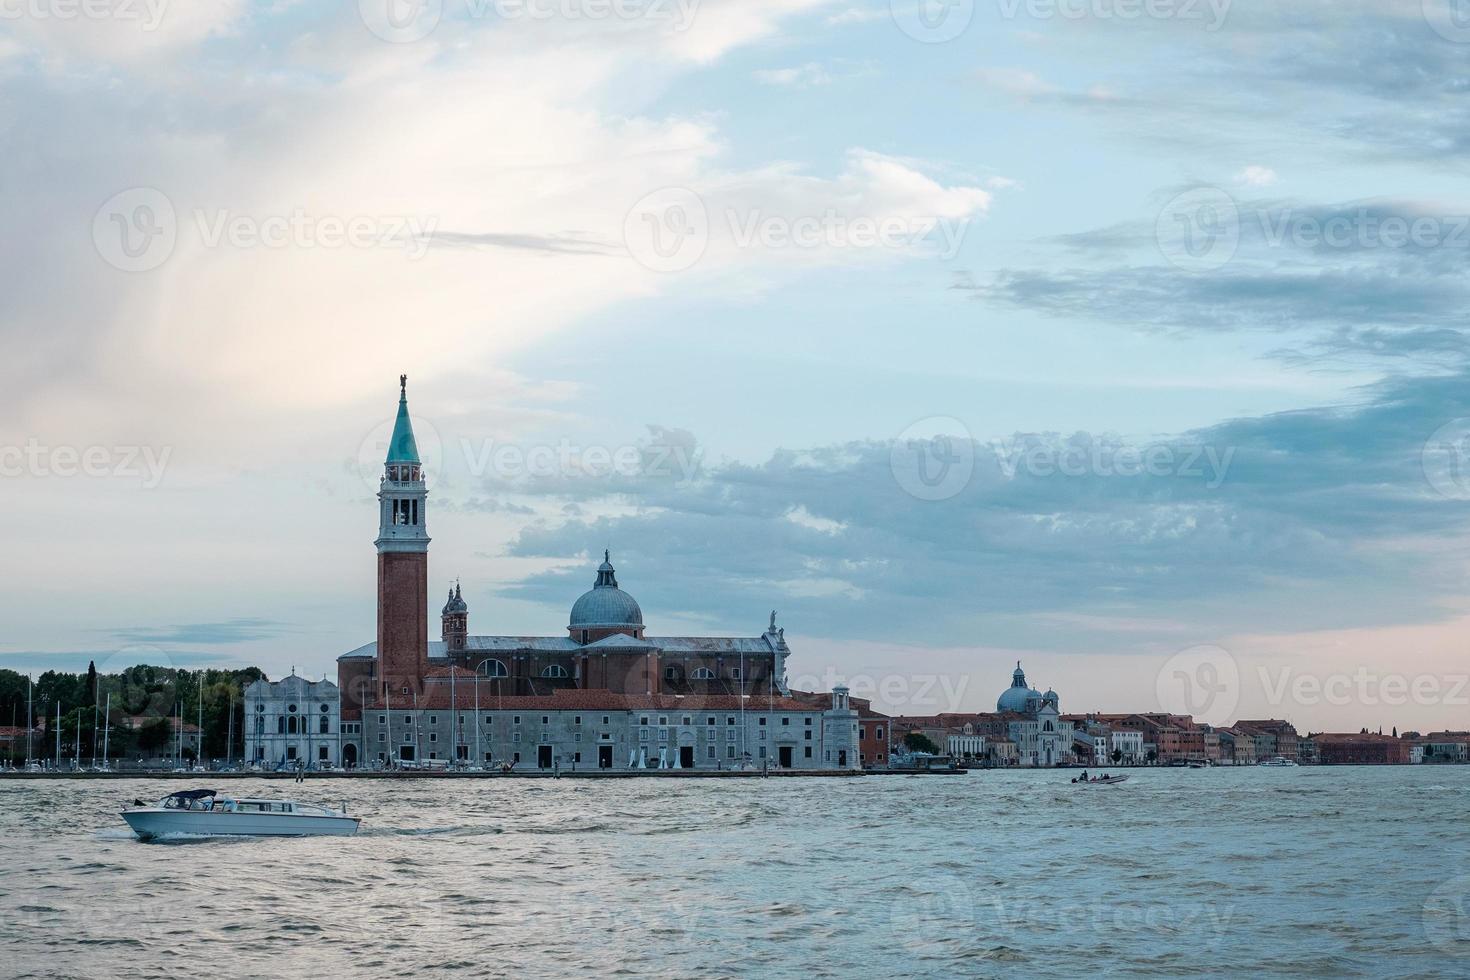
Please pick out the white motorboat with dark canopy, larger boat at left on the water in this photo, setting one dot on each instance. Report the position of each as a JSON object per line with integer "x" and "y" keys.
{"x": 207, "y": 813}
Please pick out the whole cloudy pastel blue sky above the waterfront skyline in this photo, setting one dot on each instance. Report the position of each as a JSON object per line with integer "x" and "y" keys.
{"x": 1121, "y": 339}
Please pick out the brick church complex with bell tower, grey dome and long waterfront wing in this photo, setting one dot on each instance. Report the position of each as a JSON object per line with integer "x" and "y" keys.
{"x": 603, "y": 696}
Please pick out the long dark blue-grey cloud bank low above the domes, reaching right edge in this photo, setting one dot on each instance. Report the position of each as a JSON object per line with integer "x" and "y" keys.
{"x": 1309, "y": 519}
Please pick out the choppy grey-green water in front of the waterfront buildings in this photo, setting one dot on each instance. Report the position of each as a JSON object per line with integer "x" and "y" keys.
{"x": 1311, "y": 872}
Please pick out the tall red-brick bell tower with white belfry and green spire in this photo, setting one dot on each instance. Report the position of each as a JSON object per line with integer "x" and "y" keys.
{"x": 404, "y": 562}
